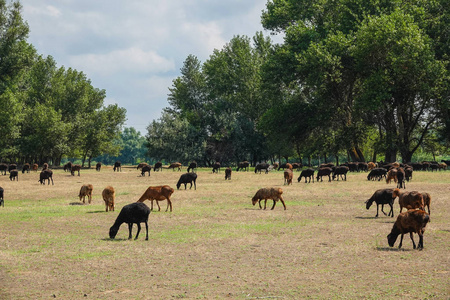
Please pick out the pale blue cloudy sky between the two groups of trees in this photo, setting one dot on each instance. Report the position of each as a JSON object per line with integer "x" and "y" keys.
{"x": 134, "y": 49}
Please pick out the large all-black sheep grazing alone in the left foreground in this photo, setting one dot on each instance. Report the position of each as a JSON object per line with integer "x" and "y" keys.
{"x": 134, "y": 213}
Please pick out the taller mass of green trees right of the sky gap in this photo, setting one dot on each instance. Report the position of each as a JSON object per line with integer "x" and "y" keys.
{"x": 367, "y": 80}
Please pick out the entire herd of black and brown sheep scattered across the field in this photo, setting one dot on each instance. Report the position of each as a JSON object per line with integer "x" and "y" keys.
{"x": 414, "y": 220}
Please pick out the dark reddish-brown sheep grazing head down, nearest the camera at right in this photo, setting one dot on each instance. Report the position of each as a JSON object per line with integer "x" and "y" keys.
{"x": 409, "y": 221}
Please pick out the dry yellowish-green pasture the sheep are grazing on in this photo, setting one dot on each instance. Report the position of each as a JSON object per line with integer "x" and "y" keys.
{"x": 215, "y": 244}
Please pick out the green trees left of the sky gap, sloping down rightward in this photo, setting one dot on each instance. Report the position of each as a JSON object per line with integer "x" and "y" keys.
{"x": 48, "y": 112}
